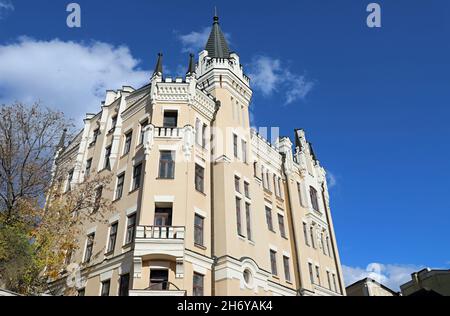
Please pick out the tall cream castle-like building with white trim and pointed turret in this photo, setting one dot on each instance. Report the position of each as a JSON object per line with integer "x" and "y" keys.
{"x": 205, "y": 206}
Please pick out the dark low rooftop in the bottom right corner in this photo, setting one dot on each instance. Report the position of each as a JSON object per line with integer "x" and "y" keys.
{"x": 428, "y": 282}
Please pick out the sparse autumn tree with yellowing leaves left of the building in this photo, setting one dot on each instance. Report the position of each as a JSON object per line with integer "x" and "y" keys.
{"x": 38, "y": 217}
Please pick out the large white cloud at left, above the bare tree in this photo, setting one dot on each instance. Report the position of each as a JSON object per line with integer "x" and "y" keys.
{"x": 68, "y": 76}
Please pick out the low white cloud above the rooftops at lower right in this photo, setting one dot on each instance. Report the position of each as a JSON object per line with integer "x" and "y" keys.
{"x": 390, "y": 275}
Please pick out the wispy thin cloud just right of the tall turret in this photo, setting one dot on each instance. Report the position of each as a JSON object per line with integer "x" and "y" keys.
{"x": 270, "y": 76}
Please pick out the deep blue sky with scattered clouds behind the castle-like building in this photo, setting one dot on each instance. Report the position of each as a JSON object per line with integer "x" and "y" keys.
{"x": 375, "y": 102}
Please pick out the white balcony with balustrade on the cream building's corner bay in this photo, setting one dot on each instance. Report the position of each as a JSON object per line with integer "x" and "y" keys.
{"x": 159, "y": 240}
